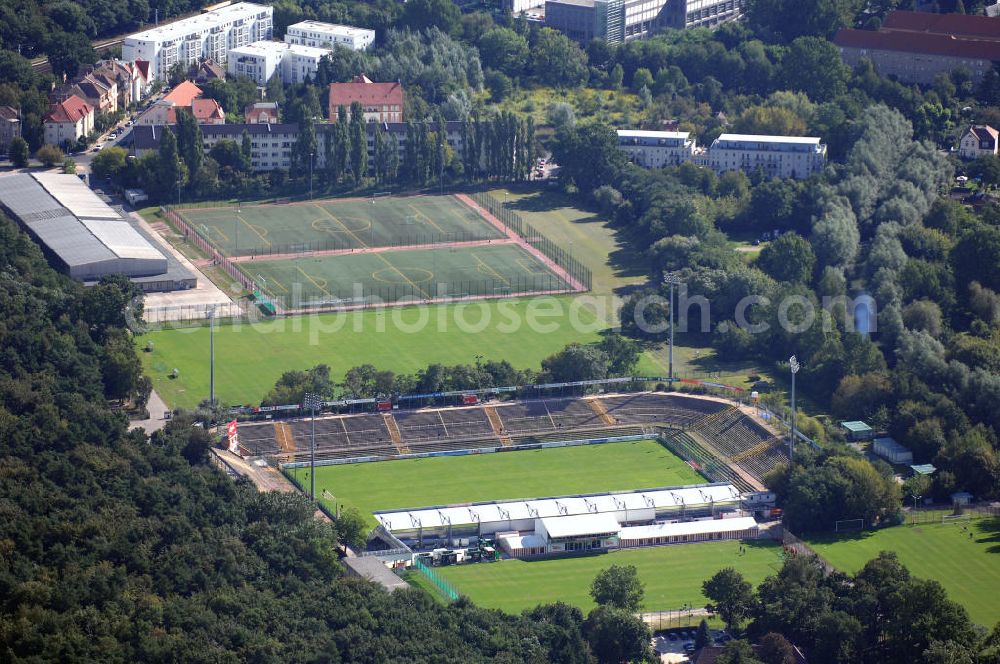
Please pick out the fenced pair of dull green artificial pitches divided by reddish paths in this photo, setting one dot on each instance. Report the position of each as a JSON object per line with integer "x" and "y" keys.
{"x": 346, "y": 253}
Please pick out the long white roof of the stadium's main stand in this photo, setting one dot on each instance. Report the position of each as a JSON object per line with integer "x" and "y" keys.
{"x": 537, "y": 508}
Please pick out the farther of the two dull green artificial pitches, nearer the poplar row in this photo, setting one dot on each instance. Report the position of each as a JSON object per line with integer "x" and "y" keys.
{"x": 263, "y": 229}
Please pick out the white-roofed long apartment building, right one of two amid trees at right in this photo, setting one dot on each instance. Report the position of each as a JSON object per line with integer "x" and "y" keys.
{"x": 779, "y": 156}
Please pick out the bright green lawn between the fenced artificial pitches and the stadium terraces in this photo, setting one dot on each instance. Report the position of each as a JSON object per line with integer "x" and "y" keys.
{"x": 249, "y": 358}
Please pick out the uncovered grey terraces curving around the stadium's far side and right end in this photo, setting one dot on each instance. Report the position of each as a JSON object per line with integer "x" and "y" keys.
{"x": 718, "y": 439}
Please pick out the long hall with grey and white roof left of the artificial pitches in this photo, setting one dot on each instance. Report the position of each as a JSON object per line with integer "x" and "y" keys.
{"x": 83, "y": 234}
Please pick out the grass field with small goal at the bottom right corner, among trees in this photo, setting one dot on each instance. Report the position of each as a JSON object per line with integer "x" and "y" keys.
{"x": 968, "y": 568}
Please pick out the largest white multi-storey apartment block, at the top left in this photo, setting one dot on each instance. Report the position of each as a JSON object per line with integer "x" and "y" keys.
{"x": 208, "y": 35}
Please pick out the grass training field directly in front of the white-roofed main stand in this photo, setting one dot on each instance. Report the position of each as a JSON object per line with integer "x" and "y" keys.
{"x": 672, "y": 575}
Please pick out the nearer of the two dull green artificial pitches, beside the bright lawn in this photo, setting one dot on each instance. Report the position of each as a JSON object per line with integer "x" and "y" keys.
{"x": 414, "y": 275}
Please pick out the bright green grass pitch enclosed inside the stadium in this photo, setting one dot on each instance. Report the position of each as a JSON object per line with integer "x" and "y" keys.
{"x": 387, "y": 485}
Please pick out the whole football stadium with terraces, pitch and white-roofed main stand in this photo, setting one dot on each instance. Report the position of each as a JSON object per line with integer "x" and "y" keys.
{"x": 476, "y": 465}
